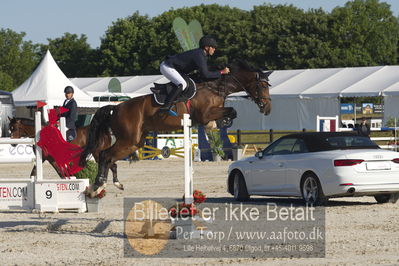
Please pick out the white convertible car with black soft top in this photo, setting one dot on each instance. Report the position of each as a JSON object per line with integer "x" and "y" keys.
{"x": 318, "y": 166}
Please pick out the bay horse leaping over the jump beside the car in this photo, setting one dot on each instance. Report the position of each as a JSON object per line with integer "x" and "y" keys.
{"x": 131, "y": 120}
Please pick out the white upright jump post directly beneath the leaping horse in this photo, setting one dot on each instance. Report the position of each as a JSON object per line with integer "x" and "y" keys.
{"x": 188, "y": 160}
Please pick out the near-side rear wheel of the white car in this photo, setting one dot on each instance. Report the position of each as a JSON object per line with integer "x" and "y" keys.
{"x": 312, "y": 192}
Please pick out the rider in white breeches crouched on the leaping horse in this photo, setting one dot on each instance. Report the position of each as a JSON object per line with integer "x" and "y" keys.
{"x": 185, "y": 63}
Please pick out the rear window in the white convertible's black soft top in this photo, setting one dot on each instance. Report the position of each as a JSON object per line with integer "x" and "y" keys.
{"x": 350, "y": 142}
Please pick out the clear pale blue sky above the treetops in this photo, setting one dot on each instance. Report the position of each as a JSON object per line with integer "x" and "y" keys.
{"x": 42, "y": 19}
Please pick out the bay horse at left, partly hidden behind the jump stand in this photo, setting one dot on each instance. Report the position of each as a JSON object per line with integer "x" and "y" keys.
{"x": 25, "y": 128}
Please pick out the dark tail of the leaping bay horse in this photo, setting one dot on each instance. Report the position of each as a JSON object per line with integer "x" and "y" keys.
{"x": 99, "y": 125}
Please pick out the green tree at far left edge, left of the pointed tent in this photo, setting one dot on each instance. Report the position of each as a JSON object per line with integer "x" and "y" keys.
{"x": 17, "y": 59}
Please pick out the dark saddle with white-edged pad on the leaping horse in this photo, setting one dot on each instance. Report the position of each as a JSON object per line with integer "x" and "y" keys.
{"x": 161, "y": 91}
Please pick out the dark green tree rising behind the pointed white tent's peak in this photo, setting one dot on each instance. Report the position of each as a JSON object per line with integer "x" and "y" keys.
{"x": 73, "y": 55}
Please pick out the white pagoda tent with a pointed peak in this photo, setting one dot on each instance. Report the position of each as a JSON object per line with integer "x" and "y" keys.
{"x": 47, "y": 84}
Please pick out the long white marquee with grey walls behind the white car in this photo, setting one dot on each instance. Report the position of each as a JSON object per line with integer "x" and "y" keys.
{"x": 298, "y": 96}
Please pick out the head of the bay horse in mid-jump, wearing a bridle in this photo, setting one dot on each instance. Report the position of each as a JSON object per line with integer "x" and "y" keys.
{"x": 255, "y": 83}
